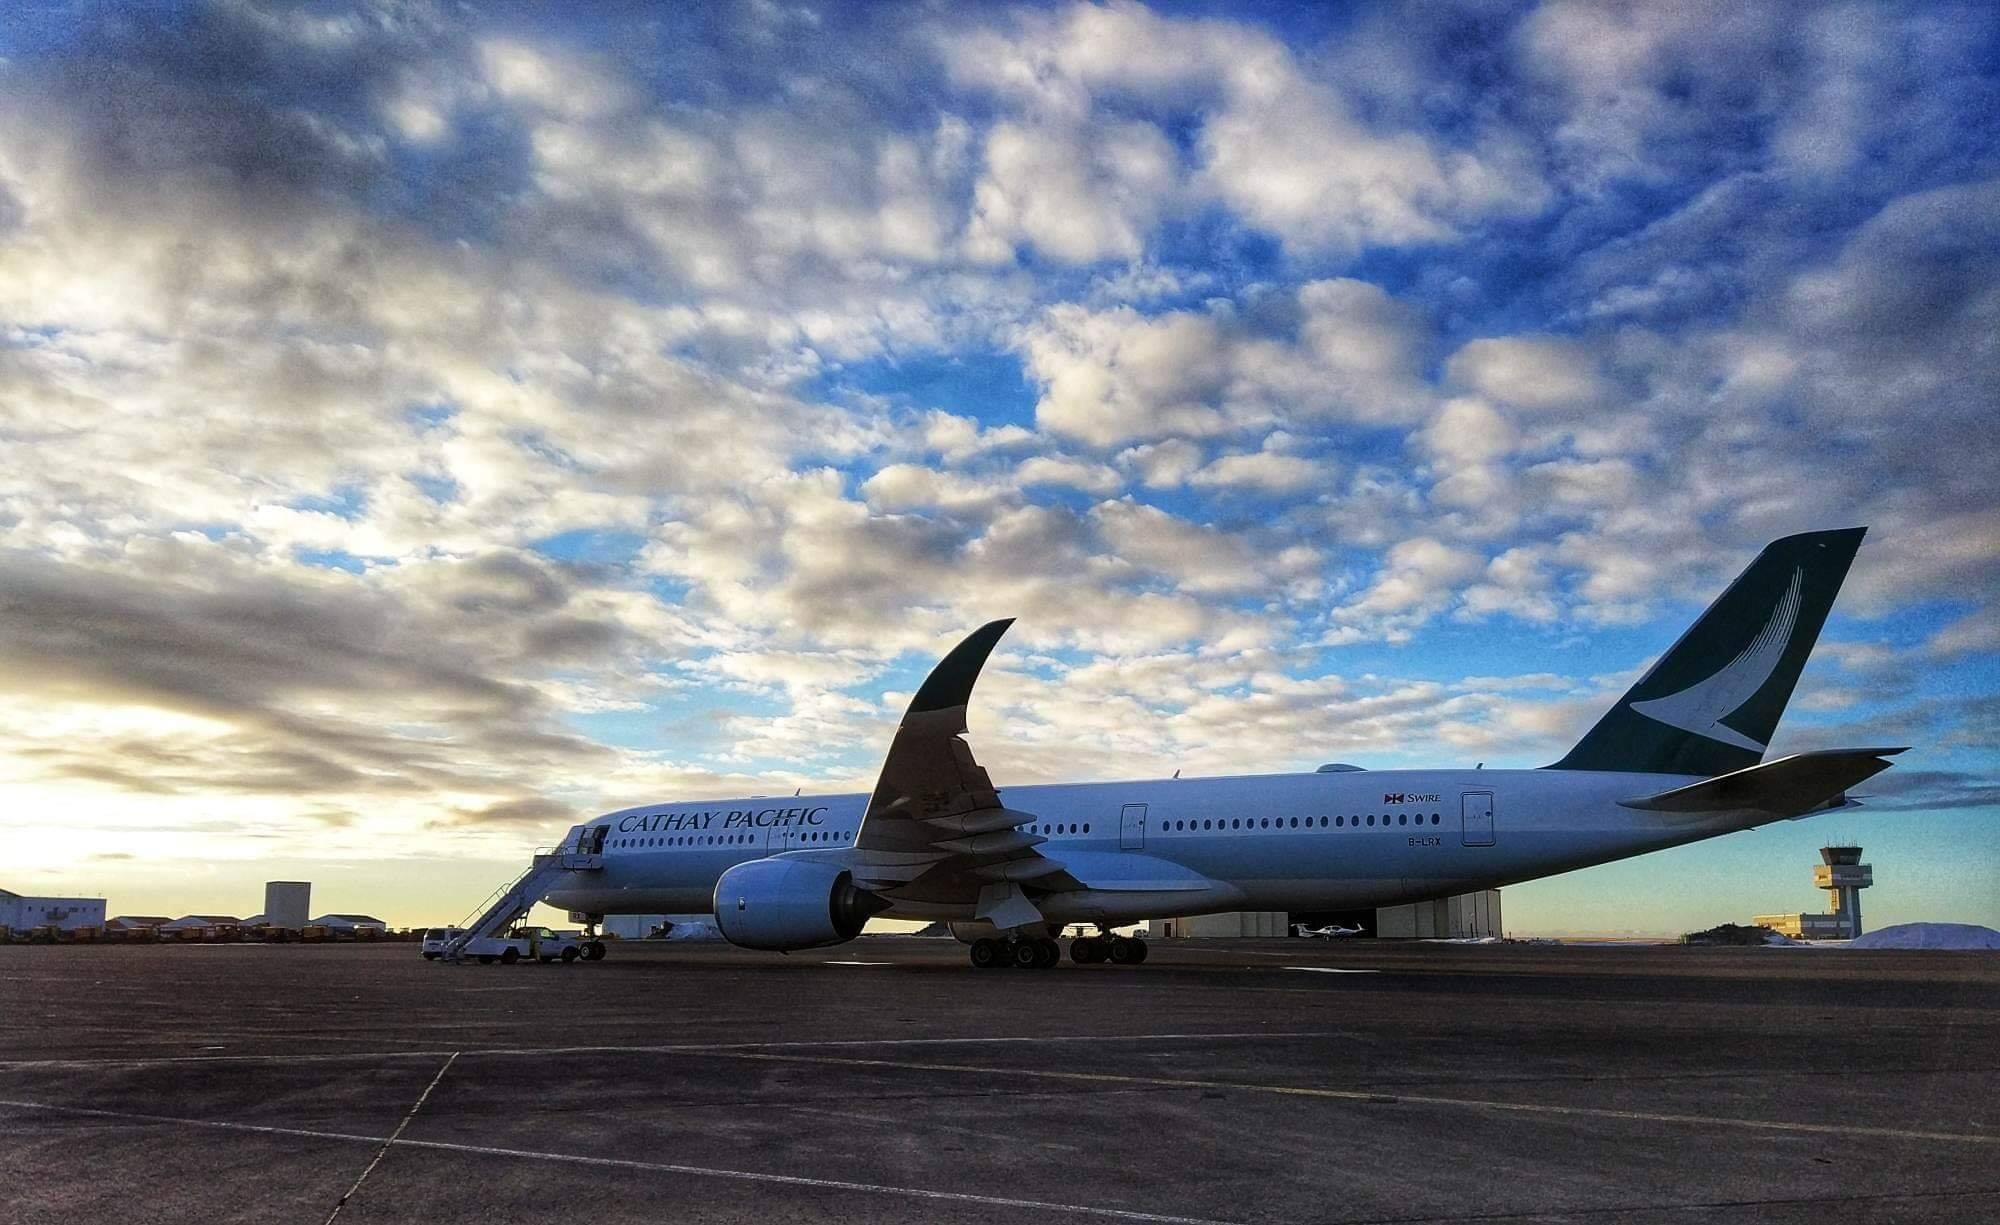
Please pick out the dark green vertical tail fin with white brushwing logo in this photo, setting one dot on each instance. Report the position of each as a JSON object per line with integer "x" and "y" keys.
{"x": 1713, "y": 702}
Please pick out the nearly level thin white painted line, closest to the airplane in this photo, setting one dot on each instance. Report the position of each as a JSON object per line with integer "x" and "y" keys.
{"x": 663, "y": 1050}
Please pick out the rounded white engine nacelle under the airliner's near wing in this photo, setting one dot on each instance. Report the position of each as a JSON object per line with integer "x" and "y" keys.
{"x": 791, "y": 904}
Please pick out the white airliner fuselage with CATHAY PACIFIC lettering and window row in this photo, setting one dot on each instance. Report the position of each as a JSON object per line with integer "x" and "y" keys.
{"x": 1167, "y": 848}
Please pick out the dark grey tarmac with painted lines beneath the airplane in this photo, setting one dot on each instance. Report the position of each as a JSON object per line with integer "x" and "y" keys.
{"x": 889, "y": 1082}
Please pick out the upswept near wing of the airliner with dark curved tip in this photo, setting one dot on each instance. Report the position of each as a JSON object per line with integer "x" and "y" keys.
{"x": 935, "y": 828}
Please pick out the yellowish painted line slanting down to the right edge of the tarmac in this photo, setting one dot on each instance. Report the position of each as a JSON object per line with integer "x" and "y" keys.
{"x": 1475, "y": 1104}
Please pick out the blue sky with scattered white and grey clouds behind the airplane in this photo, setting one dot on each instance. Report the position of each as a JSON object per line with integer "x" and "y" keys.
{"x": 423, "y": 429}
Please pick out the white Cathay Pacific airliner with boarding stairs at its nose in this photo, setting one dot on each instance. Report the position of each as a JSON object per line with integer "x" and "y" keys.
{"x": 1677, "y": 760}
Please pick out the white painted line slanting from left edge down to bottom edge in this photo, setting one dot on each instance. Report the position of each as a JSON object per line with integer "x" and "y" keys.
{"x": 703, "y": 1172}
